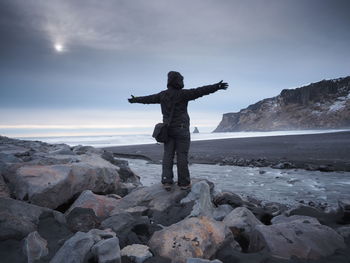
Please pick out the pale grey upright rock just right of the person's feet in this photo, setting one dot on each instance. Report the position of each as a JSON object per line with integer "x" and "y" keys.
{"x": 200, "y": 194}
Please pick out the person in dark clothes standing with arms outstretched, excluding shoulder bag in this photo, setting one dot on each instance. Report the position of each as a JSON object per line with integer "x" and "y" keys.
{"x": 174, "y": 103}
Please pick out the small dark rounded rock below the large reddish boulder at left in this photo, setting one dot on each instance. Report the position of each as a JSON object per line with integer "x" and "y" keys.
{"x": 82, "y": 219}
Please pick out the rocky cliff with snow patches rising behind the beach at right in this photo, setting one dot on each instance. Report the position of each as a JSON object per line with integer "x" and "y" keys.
{"x": 321, "y": 105}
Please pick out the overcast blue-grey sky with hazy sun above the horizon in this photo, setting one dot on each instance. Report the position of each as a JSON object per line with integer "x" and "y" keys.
{"x": 76, "y": 62}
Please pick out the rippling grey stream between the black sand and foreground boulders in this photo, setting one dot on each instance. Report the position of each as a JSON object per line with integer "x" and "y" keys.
{"x": 288, "y": 186}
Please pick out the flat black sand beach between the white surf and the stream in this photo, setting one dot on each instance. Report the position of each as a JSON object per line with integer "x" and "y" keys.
{"x": 326, "y": 152}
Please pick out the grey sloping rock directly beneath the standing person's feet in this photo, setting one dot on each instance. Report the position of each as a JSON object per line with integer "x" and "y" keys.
{"x": 163, "y": 207}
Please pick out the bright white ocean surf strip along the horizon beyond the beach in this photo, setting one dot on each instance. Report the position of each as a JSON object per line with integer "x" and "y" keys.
{"x": 146, "y": 138}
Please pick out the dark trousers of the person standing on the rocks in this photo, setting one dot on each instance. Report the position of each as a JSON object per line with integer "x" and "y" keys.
{"x": 179, "y": 143}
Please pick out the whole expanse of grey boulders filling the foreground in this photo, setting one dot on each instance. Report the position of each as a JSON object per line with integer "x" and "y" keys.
{"x": 80, "y": 204}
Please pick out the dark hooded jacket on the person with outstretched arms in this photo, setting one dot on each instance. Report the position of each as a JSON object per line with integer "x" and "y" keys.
{"x": 175, "y": 94}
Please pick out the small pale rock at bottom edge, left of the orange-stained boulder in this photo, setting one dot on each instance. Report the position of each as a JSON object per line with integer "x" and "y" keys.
{"x": 136, "y": 253}
